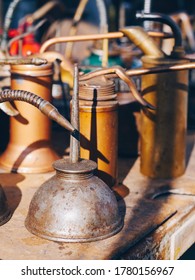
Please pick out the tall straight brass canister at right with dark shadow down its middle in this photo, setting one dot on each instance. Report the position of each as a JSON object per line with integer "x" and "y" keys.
{"x": 163, "y": 131}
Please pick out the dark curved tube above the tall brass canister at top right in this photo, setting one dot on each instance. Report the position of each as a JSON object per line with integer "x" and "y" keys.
{"x": 166, "y": 20}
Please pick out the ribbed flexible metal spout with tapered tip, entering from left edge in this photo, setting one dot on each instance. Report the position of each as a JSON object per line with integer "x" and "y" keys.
{"x": 44, "y": 106}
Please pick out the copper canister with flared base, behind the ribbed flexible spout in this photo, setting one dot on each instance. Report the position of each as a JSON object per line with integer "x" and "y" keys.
{"x": 29, "y": 148}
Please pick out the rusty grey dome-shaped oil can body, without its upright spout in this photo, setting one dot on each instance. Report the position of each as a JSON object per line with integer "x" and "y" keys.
{"x": 74, "y": 206}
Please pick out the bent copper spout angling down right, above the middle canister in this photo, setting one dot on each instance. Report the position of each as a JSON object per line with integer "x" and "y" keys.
{"x": 120, "y": 72}
